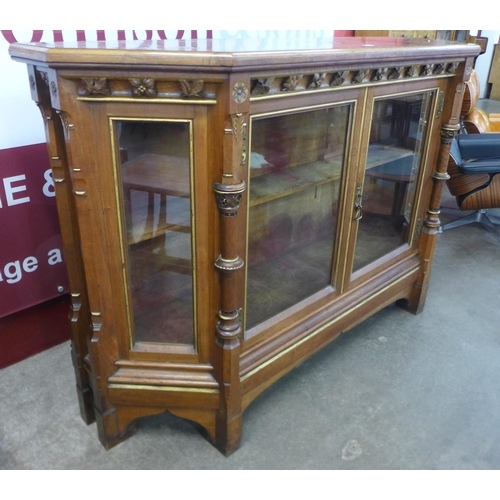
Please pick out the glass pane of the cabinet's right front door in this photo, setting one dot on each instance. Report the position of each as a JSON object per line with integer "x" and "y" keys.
{"x": 398, "y": 130}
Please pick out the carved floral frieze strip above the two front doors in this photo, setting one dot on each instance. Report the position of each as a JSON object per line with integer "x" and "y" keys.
{"x": 347, "y": 77}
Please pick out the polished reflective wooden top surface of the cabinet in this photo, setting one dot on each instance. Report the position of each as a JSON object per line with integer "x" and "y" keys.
{"x": 238, "y": 52}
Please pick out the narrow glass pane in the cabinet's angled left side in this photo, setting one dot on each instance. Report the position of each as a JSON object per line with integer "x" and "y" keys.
{"x": 156, "y": 189}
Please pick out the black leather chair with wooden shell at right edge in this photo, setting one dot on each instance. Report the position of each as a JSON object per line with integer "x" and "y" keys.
{"x": 474, "y": 169}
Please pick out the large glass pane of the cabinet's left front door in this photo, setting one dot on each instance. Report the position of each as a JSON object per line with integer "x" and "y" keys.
{"x": 295, "y": 177}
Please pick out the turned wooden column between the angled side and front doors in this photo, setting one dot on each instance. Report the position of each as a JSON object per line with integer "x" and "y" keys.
{"x": 228, "y": 193}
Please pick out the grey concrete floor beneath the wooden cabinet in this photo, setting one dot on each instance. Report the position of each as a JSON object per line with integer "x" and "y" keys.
{"x": 396, "y": 392}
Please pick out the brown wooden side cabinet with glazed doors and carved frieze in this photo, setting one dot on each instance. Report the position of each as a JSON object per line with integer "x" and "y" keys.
{"x": 228, "y": 208}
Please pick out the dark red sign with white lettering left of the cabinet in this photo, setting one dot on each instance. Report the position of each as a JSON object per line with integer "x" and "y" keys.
{"x": 31, "y": 257}
